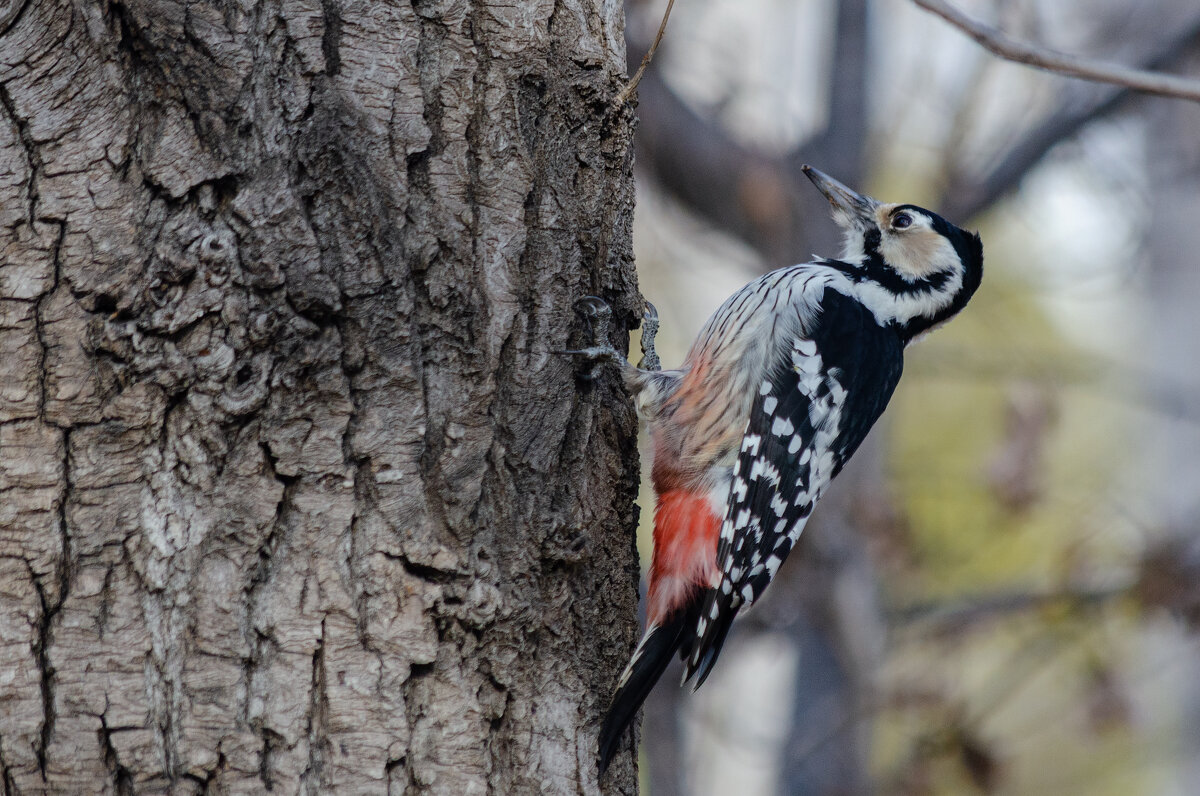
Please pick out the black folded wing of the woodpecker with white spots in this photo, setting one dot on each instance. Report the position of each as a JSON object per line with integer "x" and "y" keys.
{"x": 811, "y": 415}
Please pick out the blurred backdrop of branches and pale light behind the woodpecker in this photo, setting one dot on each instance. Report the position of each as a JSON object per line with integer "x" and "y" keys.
{"x": 1003, "y": 592}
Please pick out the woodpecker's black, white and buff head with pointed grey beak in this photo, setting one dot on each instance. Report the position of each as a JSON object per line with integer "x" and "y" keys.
{"x": 913, "y": 268}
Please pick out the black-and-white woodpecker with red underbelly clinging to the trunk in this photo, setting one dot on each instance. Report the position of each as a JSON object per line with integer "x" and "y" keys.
{"x": 775, "y": 397}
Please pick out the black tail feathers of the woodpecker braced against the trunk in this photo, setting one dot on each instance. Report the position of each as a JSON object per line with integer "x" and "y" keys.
{"x": 649, "y": 663}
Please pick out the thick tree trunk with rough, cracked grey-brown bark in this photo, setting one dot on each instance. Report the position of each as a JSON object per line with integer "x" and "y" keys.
{"x": 295, "y": 495}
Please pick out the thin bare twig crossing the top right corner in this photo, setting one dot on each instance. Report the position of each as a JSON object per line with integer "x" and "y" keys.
{"x": 1000, "y": 44}
